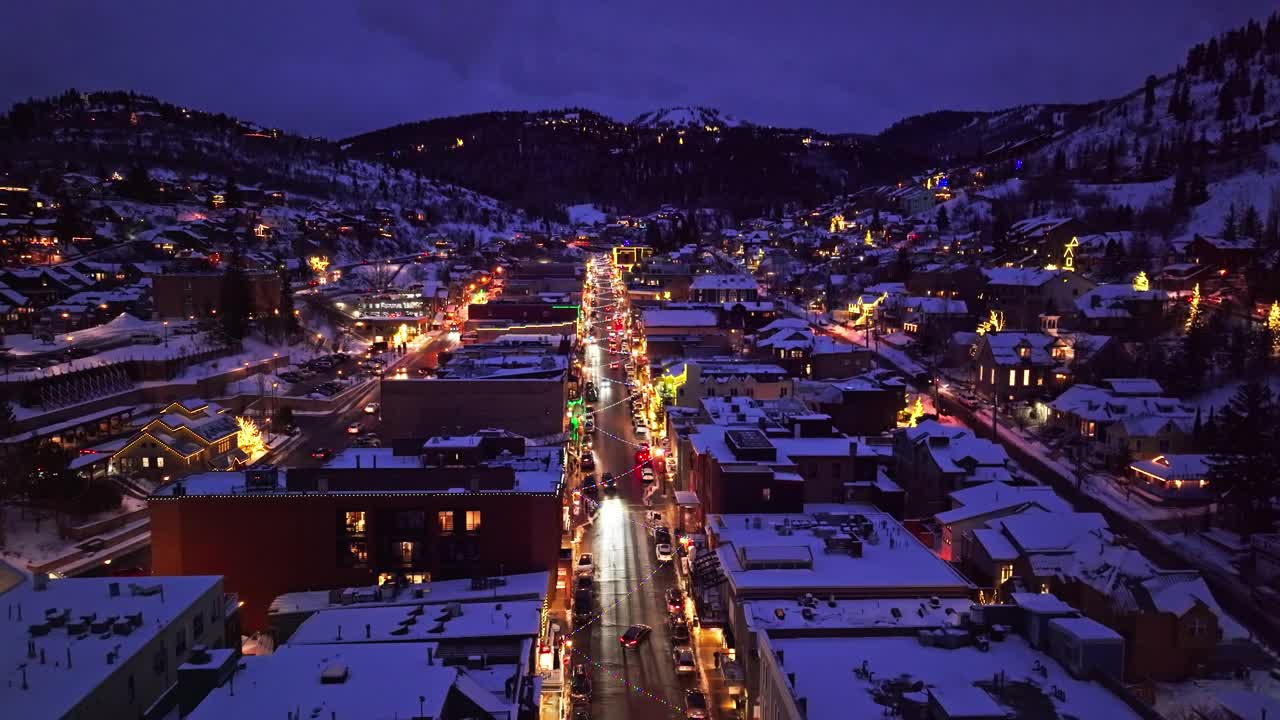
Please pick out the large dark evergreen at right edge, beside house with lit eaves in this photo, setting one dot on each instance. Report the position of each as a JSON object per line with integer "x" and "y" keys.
{"x": 1246, "y": 455}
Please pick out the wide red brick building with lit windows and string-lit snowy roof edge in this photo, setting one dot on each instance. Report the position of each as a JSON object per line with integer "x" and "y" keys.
{"x": 461, "y": 509}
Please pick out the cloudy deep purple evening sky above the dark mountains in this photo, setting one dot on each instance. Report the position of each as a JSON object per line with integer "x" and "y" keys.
{"x": 335, "y": 69}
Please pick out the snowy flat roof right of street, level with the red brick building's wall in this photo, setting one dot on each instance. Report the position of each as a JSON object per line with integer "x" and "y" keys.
{"x": 893, "y": 562}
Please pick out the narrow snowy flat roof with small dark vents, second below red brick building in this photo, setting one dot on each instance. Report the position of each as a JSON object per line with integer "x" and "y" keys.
{"x": 420, "y": 623}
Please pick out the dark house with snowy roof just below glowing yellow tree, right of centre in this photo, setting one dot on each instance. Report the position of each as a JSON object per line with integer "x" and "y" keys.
{"x": 932, "y": 461}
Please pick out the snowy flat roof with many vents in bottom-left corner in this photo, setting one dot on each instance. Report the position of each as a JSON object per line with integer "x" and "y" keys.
{"x": 53, "y": 687}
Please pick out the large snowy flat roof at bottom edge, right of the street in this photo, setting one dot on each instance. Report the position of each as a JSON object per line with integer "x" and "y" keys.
{"x": 825, "y": 675}
